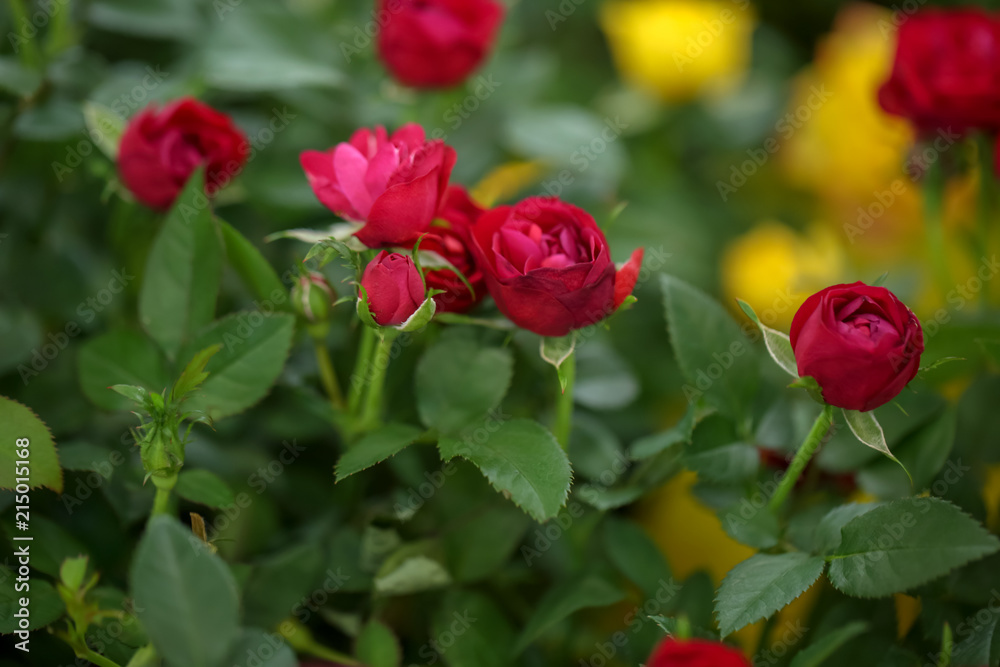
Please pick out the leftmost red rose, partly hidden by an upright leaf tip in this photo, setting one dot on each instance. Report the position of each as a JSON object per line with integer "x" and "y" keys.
{"x": 161, "y": 148}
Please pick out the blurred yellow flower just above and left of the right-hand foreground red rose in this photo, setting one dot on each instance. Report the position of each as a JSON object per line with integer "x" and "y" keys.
{"x": 775, "y": 269}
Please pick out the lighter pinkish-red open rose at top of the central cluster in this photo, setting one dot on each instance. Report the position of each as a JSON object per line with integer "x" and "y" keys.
{"x": 393, "y": 184}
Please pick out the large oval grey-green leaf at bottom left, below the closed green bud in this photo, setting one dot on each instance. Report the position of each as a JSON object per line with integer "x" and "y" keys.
{"x": 185, "y": 596}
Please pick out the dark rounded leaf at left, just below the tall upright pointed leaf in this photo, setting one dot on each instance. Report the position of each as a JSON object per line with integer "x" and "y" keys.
{"x": 120, "y": 357}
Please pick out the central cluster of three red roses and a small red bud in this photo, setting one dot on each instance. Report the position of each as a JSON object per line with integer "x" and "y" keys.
{"x": 545, "y": 262}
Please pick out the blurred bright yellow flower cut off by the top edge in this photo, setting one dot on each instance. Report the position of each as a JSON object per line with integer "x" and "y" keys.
{"x": 680, "y": 49}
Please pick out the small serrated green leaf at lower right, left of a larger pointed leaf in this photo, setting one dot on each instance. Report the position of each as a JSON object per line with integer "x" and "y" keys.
{"x": 762, "y": 585}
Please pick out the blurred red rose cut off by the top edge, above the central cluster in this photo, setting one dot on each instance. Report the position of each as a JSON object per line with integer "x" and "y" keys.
{"x": 436, "y": 43}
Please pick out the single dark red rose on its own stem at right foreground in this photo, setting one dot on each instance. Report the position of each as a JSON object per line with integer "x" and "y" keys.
{"x": 860, "y": 343}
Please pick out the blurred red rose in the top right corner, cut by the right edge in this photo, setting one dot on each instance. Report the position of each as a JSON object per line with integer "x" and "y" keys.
{"x": 946, "y": 71}
